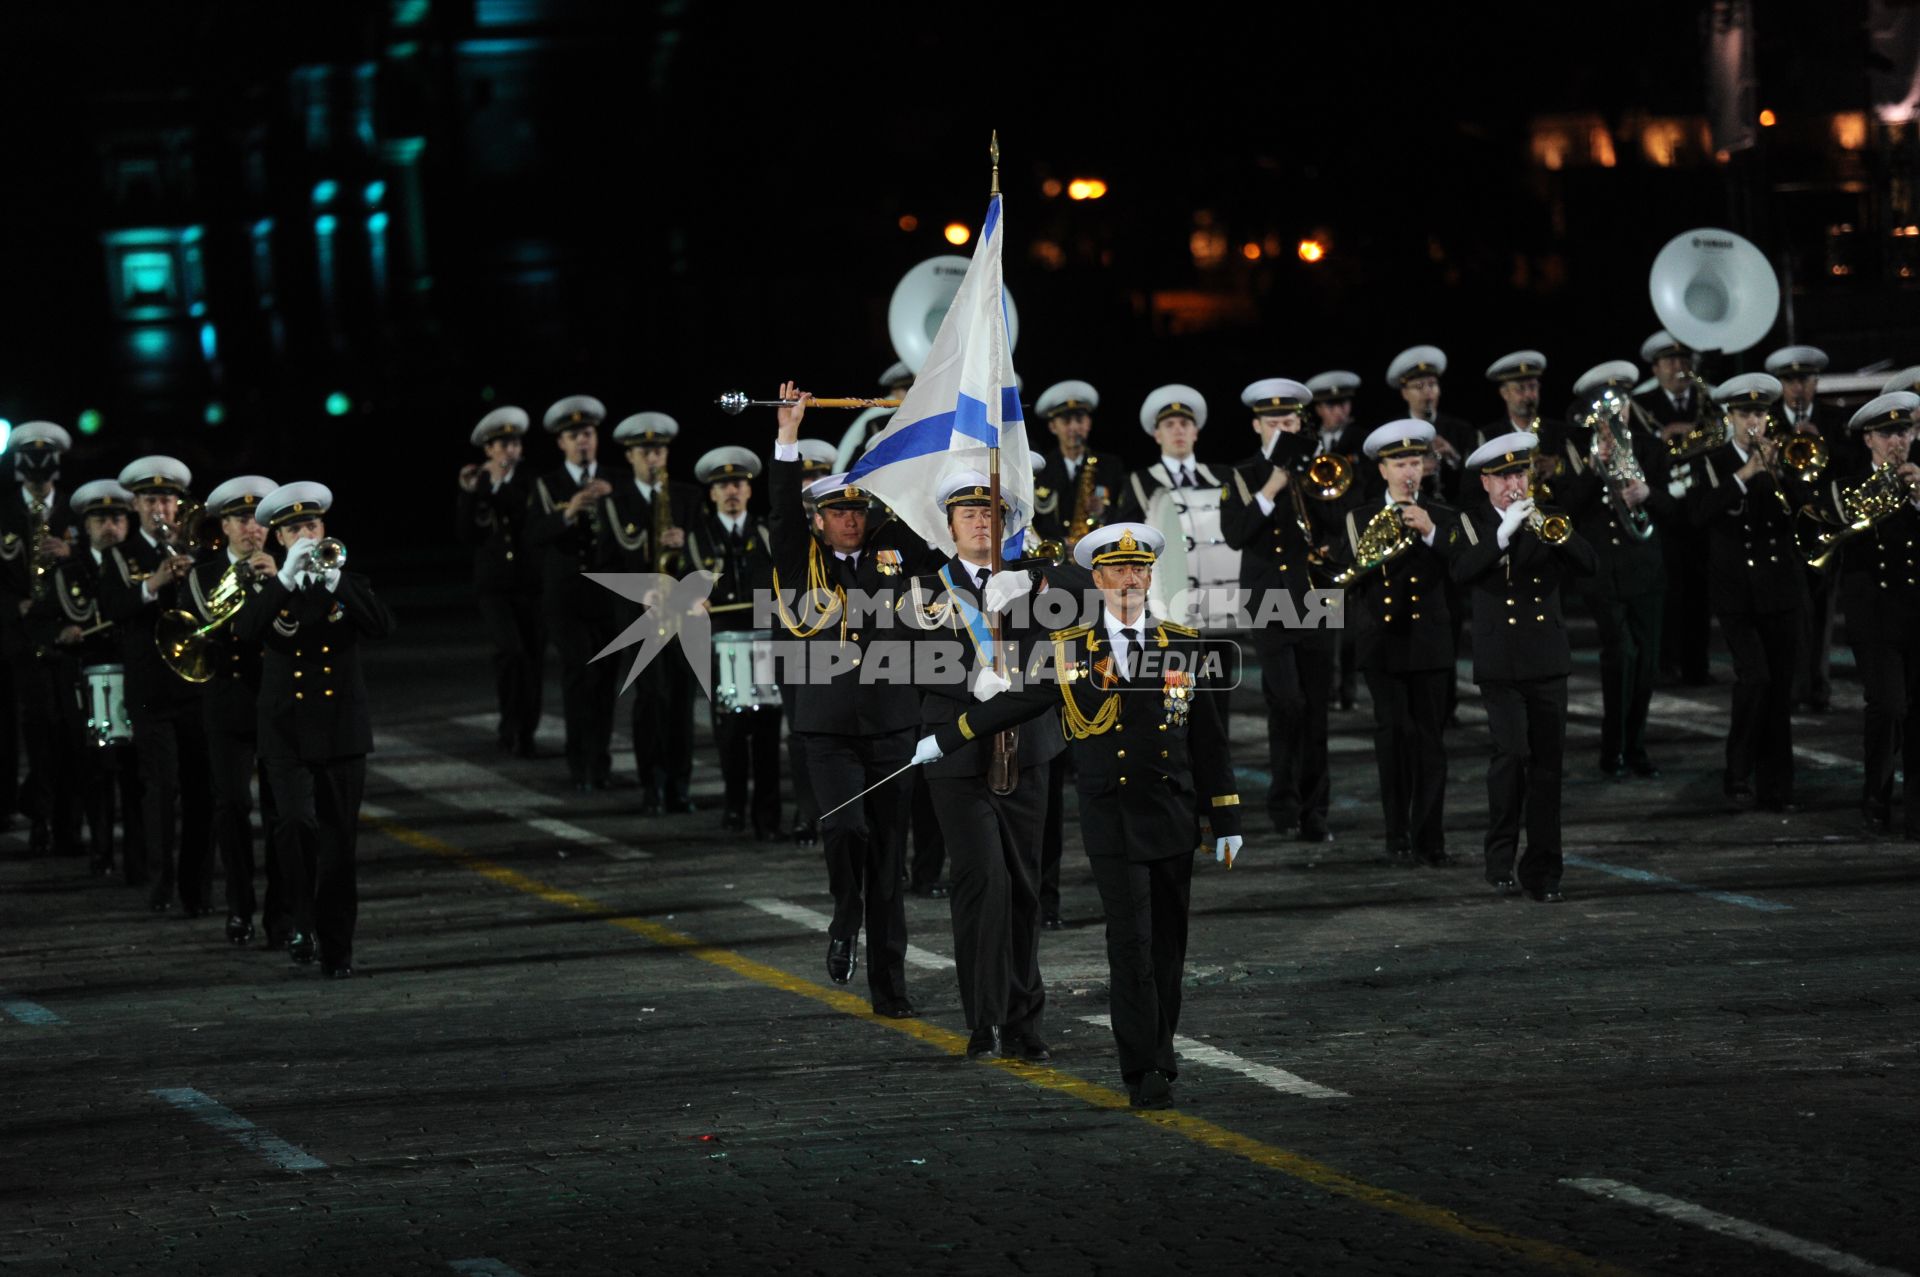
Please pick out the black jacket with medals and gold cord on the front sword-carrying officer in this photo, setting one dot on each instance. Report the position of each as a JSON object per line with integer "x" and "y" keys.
{"x": 1147, "y": 765}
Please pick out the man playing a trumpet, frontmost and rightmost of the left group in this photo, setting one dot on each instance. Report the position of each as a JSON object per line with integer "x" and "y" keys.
{"x": 316, "y": 729}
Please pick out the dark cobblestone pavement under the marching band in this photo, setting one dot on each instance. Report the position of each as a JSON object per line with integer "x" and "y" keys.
{"x": 585, "y": 1042}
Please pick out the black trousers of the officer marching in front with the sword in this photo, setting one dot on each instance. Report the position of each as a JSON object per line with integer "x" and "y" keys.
{"x": 1145, "y": 905}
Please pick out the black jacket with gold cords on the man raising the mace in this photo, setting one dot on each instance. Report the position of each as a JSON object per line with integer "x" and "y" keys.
{"x": 842, "y": 642}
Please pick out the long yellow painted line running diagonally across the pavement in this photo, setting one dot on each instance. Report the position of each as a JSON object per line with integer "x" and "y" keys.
{"x": 1197, "y": 1130}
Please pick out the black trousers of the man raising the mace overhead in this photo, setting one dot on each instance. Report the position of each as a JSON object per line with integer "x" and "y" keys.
{"x": 863, "y": 846}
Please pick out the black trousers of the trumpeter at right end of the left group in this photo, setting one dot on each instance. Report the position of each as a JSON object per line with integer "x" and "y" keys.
{"x": 316, "y": 836}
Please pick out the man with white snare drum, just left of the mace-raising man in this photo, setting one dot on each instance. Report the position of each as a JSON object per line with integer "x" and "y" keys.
{"x": 736, "y": 546}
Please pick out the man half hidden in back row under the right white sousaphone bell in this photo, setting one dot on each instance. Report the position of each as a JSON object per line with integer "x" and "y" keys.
{"x": 1675, "y": 406}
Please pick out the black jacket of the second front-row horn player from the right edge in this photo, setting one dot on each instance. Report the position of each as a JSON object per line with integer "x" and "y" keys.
{"x": 1754, "y": 566}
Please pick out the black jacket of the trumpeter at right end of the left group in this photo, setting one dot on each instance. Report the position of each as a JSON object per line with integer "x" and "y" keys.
{"x": 312, "y": 690}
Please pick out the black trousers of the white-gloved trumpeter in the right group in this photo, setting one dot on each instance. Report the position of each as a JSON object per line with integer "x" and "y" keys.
{"x": 1524, "y": 781}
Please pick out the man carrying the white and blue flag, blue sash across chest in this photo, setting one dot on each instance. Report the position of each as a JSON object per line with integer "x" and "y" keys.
{"x": 994, "y": 840}
